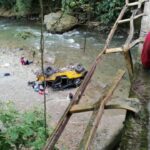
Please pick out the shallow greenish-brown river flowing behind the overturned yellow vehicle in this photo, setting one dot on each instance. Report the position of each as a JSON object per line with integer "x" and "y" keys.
{"x": 67, "y": 48}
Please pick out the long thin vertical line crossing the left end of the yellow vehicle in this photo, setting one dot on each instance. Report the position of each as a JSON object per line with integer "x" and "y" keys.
{"x": 42, "y": 63}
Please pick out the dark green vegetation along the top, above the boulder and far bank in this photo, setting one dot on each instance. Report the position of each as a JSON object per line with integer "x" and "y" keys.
{"x": 104, "y": 11}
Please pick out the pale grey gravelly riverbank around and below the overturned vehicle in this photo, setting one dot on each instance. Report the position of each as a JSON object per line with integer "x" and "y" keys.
{"x": 15, "y": 88}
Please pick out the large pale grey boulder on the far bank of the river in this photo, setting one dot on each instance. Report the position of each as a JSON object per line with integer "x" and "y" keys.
{"x": 59, "y": 22}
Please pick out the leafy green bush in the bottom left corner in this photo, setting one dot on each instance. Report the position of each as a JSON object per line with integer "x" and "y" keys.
{"x": 21, "y": 129}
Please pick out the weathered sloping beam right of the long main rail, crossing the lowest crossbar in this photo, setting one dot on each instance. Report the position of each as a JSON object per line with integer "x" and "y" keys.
{"x": 97, "y": 114}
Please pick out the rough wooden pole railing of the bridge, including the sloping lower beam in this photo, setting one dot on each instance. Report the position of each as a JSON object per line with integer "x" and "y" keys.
{"x": 100, "y": 105}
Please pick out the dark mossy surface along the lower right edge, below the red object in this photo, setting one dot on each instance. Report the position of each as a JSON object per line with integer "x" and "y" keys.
{"x": 136, "y": 126}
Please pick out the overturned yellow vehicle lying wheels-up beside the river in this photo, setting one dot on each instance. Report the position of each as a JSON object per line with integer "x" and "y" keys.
{"x": 70, "y": 76}
